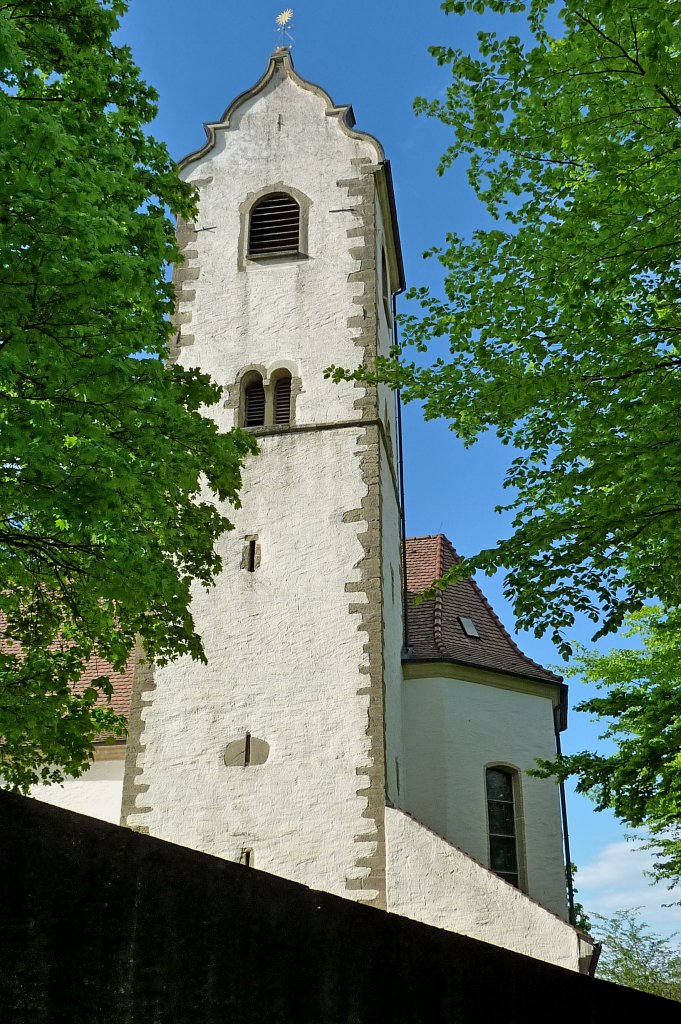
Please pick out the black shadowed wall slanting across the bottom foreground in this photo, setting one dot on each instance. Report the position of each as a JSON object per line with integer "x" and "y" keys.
{"x": 100, "y": 924}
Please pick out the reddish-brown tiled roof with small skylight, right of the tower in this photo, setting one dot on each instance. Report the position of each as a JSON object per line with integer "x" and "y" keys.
{"x": 436, "y": 632}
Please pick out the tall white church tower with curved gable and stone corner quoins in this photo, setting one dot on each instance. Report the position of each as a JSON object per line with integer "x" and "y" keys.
{"x": 280, "y": 752}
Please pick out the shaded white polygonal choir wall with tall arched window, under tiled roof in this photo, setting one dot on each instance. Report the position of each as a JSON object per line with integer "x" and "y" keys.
{"x": 454, "y": 730}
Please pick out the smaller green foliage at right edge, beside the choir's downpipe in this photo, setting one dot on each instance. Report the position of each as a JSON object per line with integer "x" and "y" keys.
{"x": 641, "y": 780}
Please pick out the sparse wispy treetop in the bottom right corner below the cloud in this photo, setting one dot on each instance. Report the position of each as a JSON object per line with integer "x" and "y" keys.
{"x": 635, "y": 957}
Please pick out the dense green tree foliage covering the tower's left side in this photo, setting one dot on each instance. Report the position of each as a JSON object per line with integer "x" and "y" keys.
{"x": 108, "y": 472}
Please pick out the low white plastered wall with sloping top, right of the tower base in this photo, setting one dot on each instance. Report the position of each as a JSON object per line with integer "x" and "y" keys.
{"x": 434, "y": 882}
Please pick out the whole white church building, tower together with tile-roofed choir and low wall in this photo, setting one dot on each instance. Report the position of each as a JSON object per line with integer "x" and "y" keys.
{"x": 315, "y": 744}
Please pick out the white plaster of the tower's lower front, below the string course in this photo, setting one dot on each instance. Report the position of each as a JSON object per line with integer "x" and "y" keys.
{"x": 284, "y": 657}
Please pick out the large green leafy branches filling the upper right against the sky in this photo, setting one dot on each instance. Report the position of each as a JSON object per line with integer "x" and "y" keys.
{"x": 561, "y": 327}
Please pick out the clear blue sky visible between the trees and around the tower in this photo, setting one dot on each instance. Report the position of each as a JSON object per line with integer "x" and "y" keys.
{"x": 374, "y": 55}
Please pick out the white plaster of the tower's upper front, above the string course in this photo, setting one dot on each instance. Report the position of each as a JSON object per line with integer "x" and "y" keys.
{"x": 290, "y": 309}
